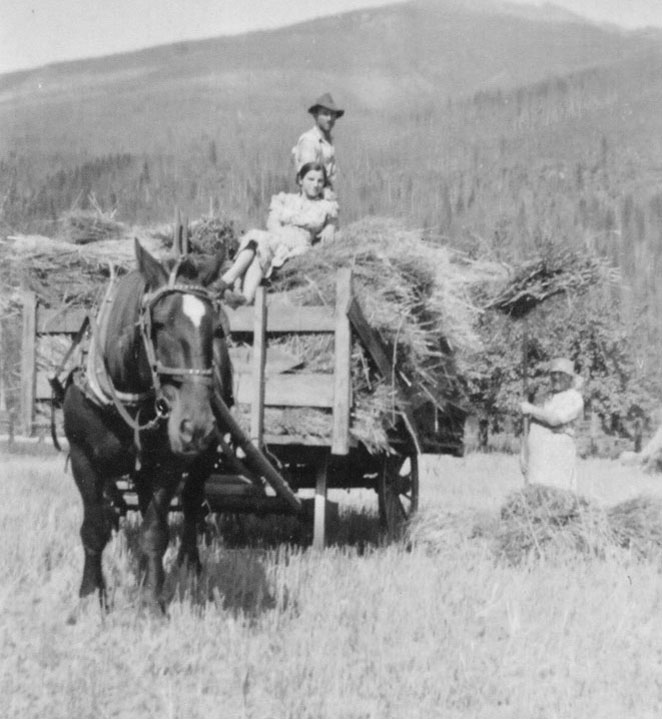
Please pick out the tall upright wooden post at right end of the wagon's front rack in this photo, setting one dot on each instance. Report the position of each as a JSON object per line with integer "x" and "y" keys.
{"x": 342, "y": 389}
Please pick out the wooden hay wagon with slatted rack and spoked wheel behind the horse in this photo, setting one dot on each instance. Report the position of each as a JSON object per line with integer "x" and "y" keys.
{"x": 263, "y": 473}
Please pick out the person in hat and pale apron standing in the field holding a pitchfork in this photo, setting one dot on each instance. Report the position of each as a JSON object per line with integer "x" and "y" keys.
{"x": 549, "y": 455}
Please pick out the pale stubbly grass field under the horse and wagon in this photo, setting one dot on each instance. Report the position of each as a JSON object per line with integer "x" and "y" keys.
{"x": 355, "y": 631}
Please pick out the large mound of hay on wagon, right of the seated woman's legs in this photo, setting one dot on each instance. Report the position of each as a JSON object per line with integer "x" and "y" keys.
{"x": 409, "y": 287}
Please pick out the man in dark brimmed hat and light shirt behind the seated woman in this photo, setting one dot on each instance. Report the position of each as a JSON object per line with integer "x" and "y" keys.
{"x": 316, "y": 145}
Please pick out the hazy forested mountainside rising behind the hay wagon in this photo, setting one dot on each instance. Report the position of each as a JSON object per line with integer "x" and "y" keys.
{"x": 496, "y": 131}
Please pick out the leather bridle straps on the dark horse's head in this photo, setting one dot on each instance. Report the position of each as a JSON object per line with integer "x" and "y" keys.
{"x": 157, "y": 369}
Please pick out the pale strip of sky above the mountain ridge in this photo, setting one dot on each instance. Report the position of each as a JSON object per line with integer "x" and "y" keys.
{"x": 37, "y": 32}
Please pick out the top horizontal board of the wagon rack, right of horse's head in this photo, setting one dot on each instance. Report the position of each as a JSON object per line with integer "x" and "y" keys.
{"x": 284, "y": 318}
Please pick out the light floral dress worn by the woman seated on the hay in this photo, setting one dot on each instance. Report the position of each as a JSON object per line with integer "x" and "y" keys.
{"x": 293, "y": 224}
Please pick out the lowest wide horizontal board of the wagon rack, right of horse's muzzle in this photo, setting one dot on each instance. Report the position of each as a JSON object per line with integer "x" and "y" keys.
{"x": 289, "y": 390}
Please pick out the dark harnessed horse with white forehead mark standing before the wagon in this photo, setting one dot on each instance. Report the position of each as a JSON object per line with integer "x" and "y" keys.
{"x": 143, "y": 407}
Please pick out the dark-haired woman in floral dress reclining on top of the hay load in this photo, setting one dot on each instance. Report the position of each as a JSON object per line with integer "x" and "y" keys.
{"x": 295, "y": 222}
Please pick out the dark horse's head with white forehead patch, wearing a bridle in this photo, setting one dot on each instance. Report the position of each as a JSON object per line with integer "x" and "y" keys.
{"x": 179, "y": 323}
